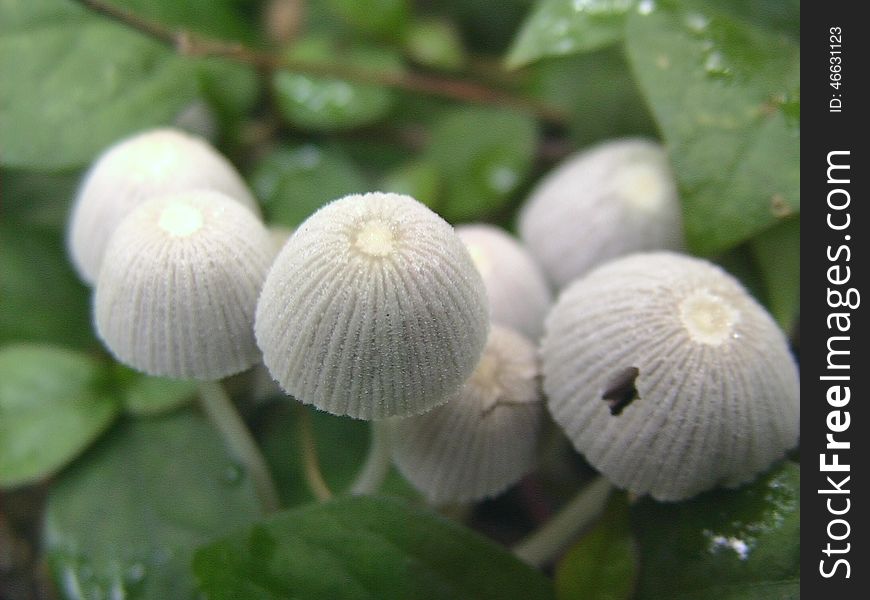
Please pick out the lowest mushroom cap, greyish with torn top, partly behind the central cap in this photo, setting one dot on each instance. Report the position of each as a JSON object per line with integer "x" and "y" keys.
{"x": 484, "y": 439}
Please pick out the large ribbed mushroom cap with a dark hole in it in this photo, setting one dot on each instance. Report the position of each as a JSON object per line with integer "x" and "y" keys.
{"x": 669, "y": 377}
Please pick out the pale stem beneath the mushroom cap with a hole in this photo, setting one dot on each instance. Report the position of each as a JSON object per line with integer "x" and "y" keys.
{"x": 545, "y": 544}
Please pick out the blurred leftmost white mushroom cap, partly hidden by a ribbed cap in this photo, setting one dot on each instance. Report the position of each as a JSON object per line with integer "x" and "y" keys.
{"x": 156, "y": 162}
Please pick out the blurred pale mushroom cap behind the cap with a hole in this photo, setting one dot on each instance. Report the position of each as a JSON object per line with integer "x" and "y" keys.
{"x": 613, "y": 199}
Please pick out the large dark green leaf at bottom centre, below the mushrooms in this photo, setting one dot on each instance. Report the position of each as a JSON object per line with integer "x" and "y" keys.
{"x": 363, "y": 548}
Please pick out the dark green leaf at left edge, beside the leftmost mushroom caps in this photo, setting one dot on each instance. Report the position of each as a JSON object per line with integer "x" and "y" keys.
{"x": 40, "y": 297}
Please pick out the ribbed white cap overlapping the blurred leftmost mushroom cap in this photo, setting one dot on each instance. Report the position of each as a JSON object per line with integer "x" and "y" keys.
{"x": 178, "y": 287}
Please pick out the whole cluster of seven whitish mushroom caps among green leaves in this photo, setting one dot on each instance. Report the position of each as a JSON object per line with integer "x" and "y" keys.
{"x": 661, "y": 369}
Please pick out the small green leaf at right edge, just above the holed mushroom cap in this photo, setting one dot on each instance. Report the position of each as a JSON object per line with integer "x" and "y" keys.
{"x": 777, "y": 252}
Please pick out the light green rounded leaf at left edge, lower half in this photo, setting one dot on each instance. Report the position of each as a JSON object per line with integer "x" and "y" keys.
{"x": 53, "y": 403}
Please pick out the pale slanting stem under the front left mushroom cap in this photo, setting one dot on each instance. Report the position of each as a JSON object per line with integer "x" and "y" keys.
{"x": 222, "y": 413}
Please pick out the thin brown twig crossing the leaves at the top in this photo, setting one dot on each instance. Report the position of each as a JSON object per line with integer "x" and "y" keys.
{"x": 191, "y": 44}
